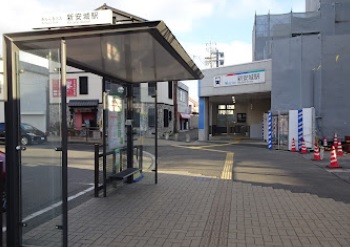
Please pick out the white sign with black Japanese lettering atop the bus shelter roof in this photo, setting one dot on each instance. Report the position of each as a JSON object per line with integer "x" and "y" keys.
{"x": 76, "y": 19}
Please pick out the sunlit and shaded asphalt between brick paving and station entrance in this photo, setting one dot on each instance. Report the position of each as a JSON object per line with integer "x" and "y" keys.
{"x": 260, "y": 166}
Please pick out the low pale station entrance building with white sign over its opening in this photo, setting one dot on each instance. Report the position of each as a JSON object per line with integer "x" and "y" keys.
{"x": 234, "y": 98}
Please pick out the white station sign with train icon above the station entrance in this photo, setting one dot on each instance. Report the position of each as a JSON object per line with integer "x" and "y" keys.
{"x": 242, "y": 78}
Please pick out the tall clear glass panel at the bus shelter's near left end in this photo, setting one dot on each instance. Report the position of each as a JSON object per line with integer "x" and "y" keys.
{"x": 39, "y": 145}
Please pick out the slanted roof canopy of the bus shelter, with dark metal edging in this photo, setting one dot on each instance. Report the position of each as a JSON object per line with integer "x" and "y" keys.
{"x": 130, "y": 53}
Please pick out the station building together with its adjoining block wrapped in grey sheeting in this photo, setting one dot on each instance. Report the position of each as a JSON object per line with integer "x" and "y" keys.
{"x": 300, "y": 65}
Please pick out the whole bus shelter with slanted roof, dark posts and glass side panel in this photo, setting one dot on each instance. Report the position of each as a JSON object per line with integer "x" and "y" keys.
{"x": 126, "y": 54}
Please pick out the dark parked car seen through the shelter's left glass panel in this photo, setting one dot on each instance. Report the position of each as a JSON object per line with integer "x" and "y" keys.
{"x": 29, "y": 134}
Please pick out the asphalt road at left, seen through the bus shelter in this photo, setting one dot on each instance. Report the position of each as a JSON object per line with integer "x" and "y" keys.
{"x": 41, "y": 180}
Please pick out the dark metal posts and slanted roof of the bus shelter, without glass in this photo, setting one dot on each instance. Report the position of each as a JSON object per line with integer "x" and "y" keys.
{"x": 123, "y": 53}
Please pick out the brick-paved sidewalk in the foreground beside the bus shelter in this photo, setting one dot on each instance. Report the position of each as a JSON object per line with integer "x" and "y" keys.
{"x": 193, "y": 210}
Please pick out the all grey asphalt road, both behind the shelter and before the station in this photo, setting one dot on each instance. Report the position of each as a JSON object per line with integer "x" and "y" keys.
{"x": 247, "y": 164}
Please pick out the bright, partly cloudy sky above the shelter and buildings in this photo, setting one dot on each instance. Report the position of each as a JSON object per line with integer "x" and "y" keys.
{"x": 199, "y": 25}
